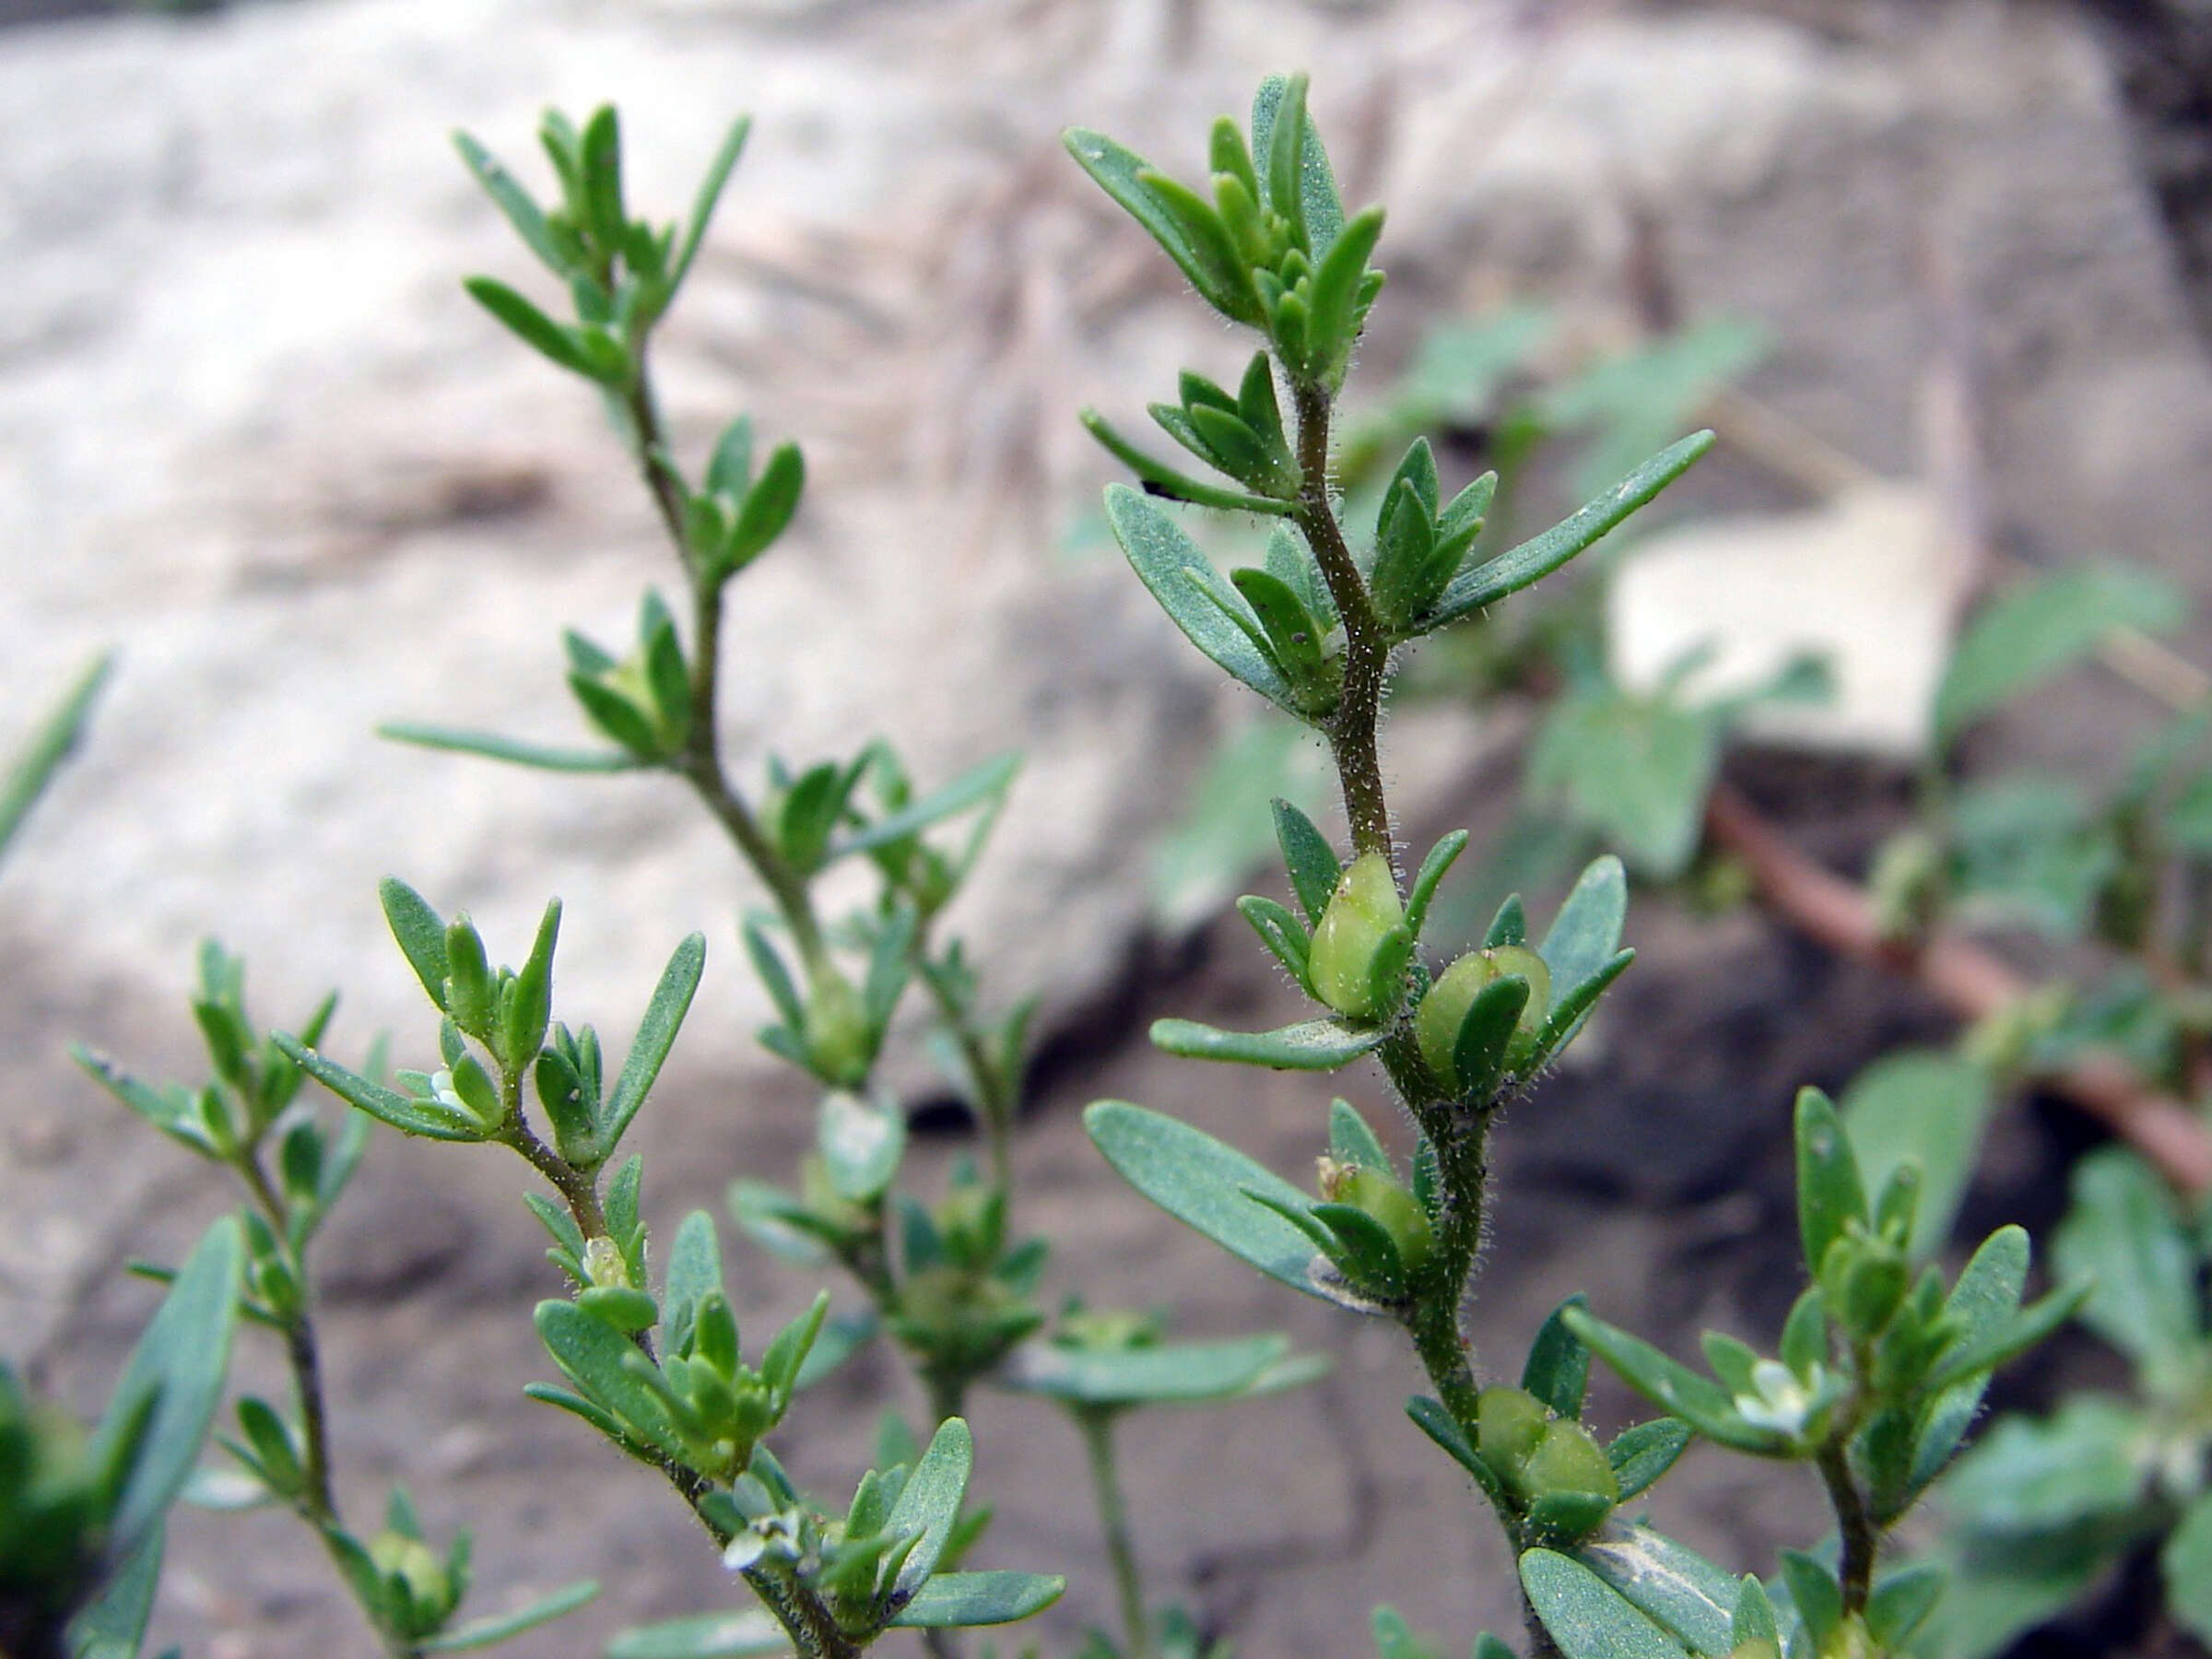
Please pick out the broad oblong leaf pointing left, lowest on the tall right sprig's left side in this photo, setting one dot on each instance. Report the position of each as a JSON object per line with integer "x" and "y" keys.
{"x": 1202, "y": 1185}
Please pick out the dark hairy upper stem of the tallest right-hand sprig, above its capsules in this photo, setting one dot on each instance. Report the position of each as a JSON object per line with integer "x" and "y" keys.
{"x": 1353, "y": 727}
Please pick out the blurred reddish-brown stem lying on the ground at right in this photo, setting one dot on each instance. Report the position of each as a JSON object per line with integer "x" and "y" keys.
{"x": 1963, "y": 977}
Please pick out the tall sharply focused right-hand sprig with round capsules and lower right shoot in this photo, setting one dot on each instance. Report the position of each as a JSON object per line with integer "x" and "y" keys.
{"x": 1879, "y": 1370}
